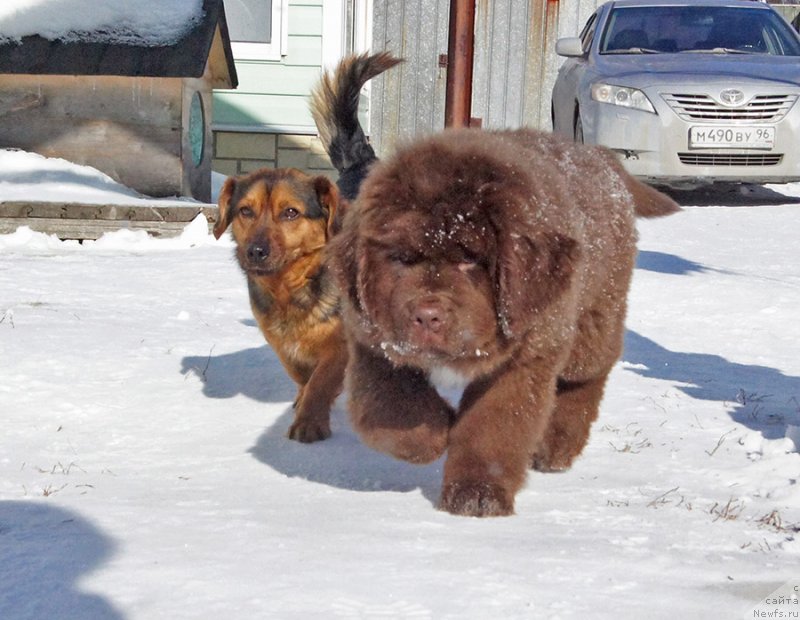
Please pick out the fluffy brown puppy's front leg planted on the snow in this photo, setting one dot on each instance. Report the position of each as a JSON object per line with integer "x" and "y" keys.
{"x": 491, "y": 444}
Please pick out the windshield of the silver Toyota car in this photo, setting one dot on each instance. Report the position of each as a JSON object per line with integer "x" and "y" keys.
{"x": 697, "y": 29}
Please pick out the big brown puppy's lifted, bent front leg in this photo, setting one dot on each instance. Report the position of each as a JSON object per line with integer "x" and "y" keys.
{"x": 394, "y": 409}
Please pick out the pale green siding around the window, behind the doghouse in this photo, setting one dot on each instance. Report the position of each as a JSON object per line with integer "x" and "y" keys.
{"x": 275, "y": 93}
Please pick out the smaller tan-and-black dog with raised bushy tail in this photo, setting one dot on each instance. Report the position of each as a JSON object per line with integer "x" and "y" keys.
{"x": 281, "y": 219}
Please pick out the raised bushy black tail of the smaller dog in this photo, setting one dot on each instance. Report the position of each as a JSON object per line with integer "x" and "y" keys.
{"x": 334, "y": 106}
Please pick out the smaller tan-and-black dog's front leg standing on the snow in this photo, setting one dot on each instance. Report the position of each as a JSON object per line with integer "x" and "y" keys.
{"x": 315, "y": 398}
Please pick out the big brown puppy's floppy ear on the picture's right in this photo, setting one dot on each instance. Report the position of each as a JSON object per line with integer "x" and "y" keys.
{"x": 531, "y": 272}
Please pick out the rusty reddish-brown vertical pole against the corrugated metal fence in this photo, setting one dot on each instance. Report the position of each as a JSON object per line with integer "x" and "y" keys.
{"x": 460, "y": 49}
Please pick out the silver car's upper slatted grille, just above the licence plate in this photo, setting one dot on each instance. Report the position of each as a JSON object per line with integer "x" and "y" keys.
{"x": 703, "y": 108}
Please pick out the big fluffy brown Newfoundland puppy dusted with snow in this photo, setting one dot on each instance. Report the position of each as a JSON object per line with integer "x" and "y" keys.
{"x": 484, "y": 277}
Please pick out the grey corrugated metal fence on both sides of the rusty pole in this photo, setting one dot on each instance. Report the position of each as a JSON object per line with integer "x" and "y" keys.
{"x": 514, "y": 66}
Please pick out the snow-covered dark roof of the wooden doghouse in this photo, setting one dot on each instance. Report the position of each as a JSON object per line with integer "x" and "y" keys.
{"x": 147, "y": 38}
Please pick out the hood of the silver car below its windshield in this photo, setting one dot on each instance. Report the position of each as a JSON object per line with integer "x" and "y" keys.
{"x": 646, "y": 70}
